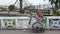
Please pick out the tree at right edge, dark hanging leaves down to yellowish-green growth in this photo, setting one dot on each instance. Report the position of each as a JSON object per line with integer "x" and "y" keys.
{"x": 56, "y": 7}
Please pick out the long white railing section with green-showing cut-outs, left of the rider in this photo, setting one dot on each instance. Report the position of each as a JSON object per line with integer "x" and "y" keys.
{"x": 13, "y": 22}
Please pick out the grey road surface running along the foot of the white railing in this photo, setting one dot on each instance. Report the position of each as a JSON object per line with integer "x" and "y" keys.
{"x": 27, "y": 32}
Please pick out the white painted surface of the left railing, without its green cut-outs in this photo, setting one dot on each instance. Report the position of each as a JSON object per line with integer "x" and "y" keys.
{"x": 19, "y": 21}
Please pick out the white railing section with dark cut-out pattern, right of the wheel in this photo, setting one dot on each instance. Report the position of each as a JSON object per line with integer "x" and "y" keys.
{"x": 52, "y": 22}
